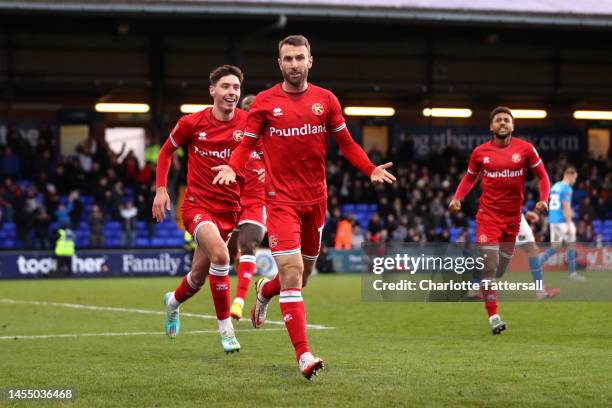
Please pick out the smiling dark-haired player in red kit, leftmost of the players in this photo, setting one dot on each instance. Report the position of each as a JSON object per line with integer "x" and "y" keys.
{"x": 209, "y": 212}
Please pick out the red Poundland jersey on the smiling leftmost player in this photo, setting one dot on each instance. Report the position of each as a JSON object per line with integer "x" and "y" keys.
{"x": 209, "y": 142}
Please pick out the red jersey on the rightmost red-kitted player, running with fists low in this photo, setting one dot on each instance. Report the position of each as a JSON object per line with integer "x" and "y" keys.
{"x": 503, "y": 176}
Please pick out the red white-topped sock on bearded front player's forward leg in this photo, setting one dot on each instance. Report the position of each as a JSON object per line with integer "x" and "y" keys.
{"x": 294, "y": 315}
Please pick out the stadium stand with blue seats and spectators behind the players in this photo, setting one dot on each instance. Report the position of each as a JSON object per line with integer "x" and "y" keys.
{"x": 39, "y": 196}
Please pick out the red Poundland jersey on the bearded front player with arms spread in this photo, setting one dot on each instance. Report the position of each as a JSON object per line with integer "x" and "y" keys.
{"x": 294, "y": 128}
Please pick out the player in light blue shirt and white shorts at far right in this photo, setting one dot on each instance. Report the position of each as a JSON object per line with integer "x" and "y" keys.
{"x": 562, "y": 228}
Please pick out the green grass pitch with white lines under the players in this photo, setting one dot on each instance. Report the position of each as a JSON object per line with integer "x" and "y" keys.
{"x": 378, "y": 354}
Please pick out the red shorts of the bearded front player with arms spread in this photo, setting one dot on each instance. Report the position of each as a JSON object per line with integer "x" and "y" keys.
{"x": 296, "y": 229}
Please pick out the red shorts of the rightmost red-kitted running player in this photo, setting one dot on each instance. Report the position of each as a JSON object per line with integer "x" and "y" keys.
{"x": 492, "y": 231}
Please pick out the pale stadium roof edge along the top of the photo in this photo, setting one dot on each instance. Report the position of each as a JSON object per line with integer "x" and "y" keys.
{"x": 576, "y": 13}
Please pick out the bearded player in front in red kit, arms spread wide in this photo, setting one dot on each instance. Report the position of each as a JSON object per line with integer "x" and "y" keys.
{"x": 294, "y": 119}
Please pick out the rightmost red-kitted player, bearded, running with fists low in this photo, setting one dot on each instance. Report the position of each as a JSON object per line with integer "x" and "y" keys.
{"x": 503, "y": 161}
